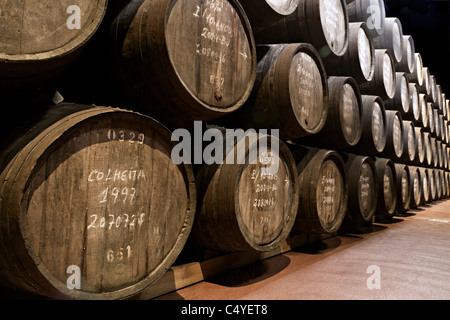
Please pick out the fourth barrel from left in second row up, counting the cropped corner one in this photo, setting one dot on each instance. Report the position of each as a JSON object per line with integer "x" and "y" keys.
{"x": 343, "y": 127}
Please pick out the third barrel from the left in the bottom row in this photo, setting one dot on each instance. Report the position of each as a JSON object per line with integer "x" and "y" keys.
{"x": 324, "y": 195}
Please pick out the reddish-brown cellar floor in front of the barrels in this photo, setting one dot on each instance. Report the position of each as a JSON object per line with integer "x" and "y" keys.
{"x": 407, "y": 257}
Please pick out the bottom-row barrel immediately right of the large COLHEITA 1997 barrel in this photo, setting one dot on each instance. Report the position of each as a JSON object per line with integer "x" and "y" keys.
{"x": 249, "y": 201}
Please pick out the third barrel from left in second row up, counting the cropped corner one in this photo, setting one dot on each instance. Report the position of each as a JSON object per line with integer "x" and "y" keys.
{"x": 290, "y": 93}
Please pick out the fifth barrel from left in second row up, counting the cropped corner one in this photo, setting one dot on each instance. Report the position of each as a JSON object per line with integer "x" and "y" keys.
{"x": 374, "y": 127}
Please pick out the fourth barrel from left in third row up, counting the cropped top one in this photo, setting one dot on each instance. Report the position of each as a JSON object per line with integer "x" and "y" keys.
{"x": 383, "y": 82}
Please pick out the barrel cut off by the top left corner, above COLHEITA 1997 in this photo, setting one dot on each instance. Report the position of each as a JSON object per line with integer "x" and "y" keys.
{"x": 39, "y": 41}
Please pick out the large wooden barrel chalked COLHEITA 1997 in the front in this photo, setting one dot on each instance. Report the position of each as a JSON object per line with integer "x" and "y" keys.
{"x": 86, "y": 189}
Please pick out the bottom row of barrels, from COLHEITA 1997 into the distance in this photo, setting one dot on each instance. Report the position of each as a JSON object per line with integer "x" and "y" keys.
{"x": 87, "y": 186}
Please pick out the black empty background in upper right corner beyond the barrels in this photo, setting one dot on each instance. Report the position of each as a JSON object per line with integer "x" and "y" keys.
{"x": 427, "y": 21}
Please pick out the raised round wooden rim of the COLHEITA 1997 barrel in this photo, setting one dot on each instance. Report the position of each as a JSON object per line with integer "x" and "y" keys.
{"x": 44, "y": 143}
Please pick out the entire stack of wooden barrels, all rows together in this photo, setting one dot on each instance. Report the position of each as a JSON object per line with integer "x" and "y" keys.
{"x": 320, "y": 115}
